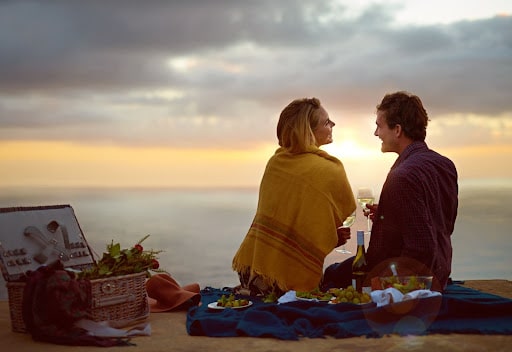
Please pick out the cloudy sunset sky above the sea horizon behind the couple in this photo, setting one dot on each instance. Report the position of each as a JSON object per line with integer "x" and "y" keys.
{"x": 188, "y": 93}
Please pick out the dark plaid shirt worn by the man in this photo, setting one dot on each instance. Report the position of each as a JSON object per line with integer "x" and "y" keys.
{"x": 417, "y": 211}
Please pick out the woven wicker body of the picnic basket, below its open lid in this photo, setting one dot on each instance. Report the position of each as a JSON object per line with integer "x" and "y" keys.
{"x": 121, "y": 300}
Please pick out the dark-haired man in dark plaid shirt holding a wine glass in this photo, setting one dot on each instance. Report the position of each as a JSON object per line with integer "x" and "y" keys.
{"x": 415, "y": 217}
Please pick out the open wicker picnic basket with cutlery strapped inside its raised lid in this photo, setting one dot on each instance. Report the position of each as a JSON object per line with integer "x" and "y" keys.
{"x": 119, "y": 298}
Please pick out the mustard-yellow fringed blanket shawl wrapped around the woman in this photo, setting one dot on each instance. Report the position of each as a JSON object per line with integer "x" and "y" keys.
{"x": 303, "y": 199}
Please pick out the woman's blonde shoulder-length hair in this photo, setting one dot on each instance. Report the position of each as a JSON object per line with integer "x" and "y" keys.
{"x": 296, "y": 124}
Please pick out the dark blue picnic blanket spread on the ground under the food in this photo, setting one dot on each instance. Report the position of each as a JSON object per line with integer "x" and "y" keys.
{"x": 459, "y": 310}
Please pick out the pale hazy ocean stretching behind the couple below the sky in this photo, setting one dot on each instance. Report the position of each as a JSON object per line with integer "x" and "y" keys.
{"x": 199, "y": 230}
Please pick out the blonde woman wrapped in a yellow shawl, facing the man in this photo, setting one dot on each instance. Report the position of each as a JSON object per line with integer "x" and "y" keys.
{"x": 303, "y": 199}
